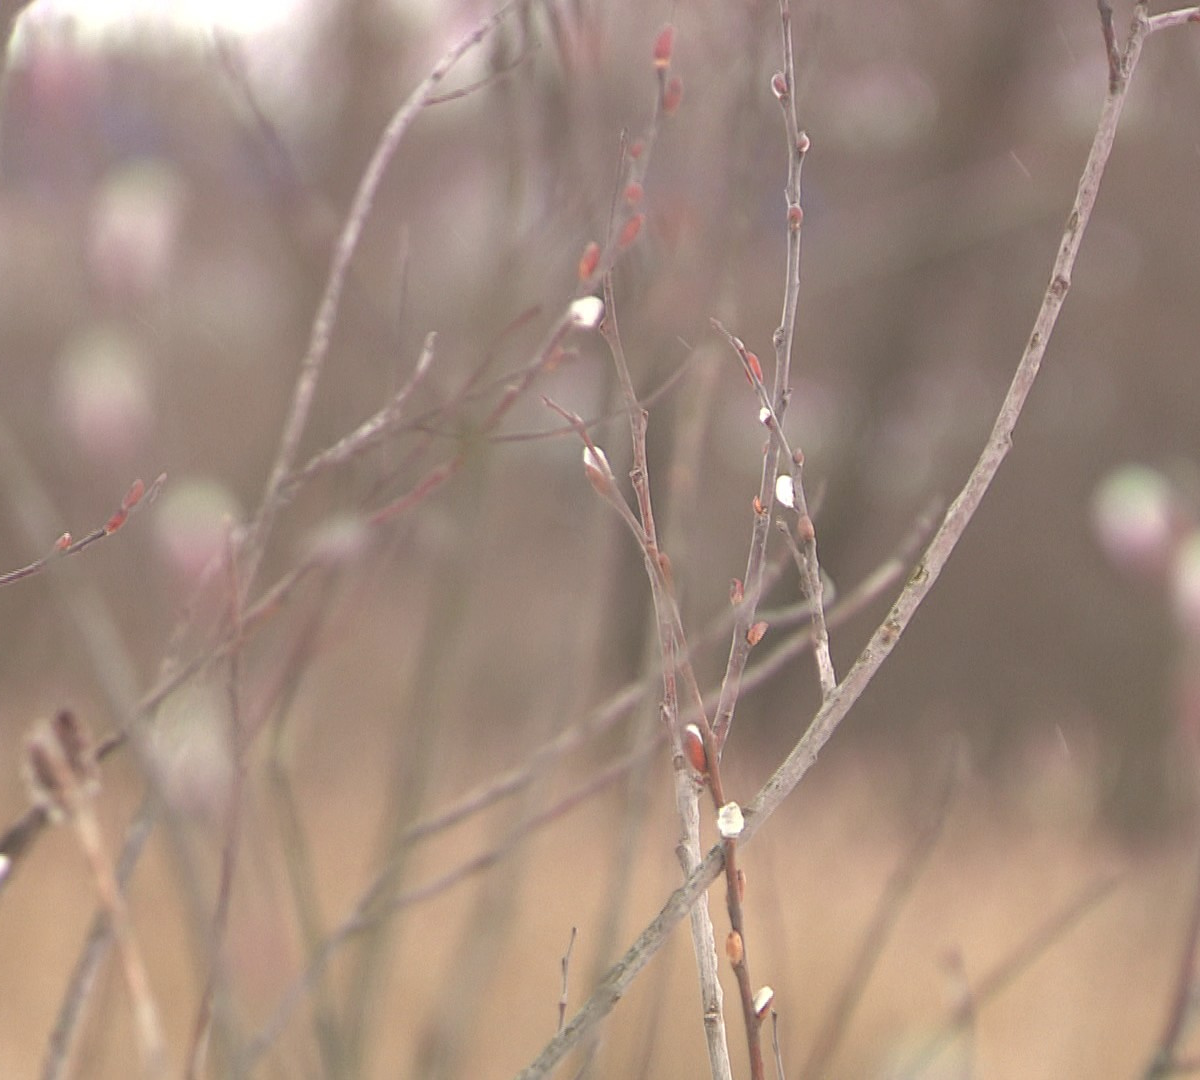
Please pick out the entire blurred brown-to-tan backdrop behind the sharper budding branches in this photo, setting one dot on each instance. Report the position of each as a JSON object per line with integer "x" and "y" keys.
{"x": 171, "y": 194}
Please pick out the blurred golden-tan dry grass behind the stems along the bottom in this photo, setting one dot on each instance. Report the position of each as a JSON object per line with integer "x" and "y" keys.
{"x": 1089, "y": 1005}
